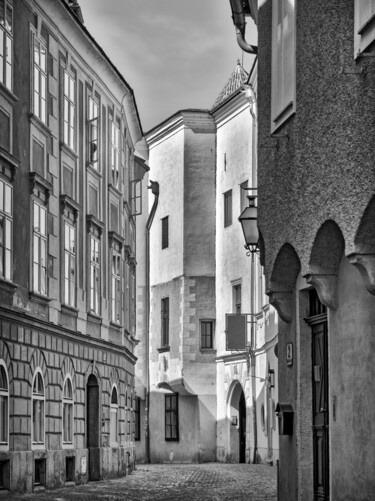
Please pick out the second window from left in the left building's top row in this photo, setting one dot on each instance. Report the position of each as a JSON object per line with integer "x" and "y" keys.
{"x": 40, "y": 80}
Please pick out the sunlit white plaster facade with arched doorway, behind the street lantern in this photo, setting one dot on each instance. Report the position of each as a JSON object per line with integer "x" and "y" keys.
{"x": 236, "y": 376}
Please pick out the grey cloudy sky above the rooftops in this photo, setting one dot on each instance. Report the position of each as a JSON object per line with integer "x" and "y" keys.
{"x": 175, "y": 54}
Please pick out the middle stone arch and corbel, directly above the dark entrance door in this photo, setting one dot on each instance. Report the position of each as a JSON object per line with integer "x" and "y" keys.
{"x": 325, "y": 257}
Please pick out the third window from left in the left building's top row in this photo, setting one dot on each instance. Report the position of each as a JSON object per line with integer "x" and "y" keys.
{"x": 69, "y": 103}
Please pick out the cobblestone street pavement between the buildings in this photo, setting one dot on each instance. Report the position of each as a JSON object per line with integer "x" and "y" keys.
{"x": 174, "y": 482}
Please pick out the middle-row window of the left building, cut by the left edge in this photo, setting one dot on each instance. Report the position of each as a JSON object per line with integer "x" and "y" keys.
{"x": 6, "y": 221}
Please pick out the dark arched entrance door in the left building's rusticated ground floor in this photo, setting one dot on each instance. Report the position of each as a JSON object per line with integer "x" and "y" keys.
{"x": 92, "y": 432}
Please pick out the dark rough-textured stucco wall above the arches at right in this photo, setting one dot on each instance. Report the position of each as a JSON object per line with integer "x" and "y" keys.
{"x": 324, "y": 169}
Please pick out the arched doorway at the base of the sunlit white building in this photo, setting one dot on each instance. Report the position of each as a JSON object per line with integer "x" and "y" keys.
{"x": 237, "y": 424}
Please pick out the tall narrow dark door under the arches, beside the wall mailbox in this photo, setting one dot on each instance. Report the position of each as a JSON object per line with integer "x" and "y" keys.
{"x": 318, "y": 322}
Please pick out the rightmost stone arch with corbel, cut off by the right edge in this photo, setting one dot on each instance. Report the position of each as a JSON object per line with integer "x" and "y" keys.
{"x": 364, "y": 256}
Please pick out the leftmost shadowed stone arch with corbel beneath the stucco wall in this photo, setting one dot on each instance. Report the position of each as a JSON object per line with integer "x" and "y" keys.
{"x": 284, "y": 275}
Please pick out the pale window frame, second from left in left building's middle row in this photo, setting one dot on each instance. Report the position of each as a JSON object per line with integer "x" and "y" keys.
{"x": 38, "y": 268}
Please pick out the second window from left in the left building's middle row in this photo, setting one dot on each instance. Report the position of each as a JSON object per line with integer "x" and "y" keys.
{"x": 40, "y": 249}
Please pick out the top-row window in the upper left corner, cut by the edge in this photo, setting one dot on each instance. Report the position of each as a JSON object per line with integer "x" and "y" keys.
{"x": 6, "y": 33}
